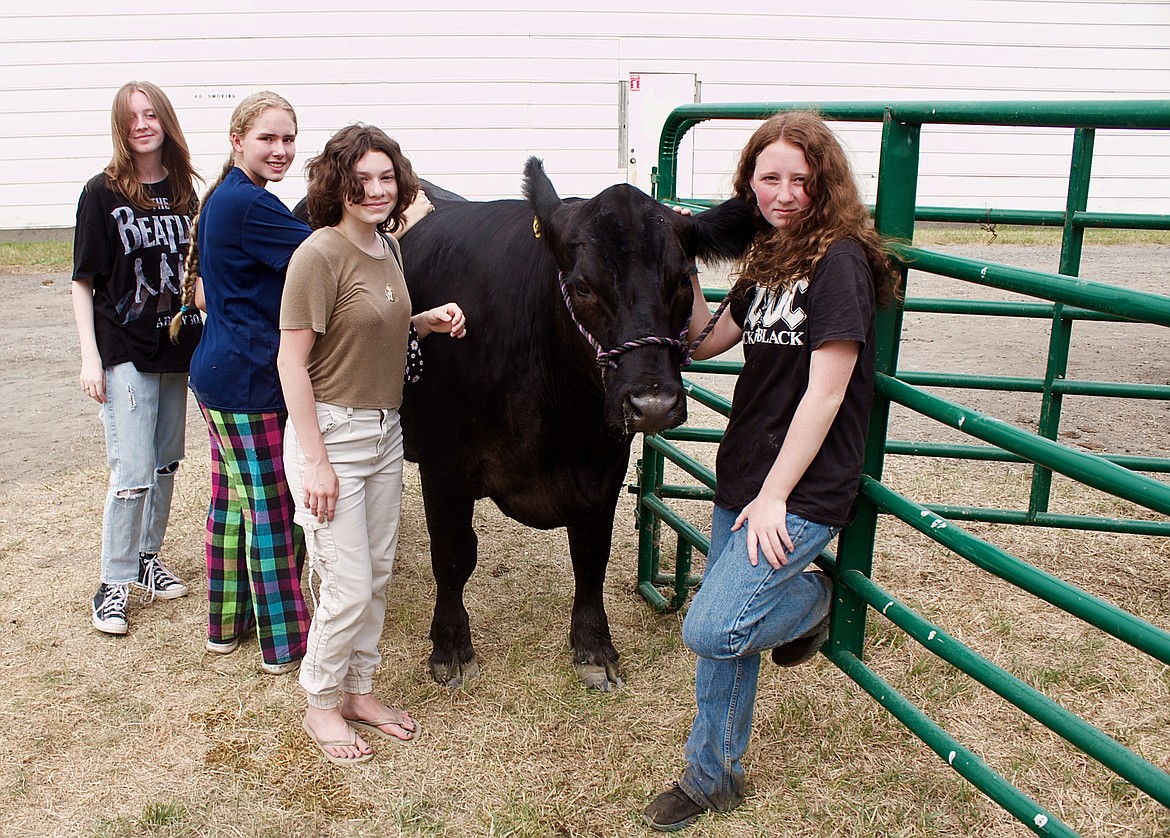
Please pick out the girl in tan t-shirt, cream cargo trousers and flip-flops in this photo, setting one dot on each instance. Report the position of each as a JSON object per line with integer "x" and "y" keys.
{"x": 346, "y": 321}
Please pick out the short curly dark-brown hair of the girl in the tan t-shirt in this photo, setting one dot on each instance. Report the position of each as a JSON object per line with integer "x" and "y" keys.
{"x": 333, "y": 180}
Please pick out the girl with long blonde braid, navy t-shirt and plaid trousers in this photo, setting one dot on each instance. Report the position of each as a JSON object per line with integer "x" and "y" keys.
{"x": 244, "y": 238}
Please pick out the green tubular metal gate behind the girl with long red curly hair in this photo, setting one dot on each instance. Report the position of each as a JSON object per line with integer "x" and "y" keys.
{"x": 1062, "y": 300}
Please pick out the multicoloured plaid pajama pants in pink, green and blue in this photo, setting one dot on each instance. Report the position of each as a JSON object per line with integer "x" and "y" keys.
{"x": 254, "y": 552}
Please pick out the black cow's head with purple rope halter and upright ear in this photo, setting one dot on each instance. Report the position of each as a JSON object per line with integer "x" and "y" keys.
{"x": 625, "y": 262}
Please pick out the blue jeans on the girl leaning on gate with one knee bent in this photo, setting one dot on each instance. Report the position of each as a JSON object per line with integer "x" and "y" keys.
{"x": 739, "y": 613}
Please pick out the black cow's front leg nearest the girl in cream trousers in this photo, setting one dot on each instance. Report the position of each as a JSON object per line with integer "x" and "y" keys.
{"x": 453, "y": 558}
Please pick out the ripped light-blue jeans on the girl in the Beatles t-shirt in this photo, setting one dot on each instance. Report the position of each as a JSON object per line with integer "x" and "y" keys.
{"x": 146, "y": 418}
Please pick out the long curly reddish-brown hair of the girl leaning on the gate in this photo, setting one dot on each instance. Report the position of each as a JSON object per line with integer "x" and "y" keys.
{"x": 779, "y": 258}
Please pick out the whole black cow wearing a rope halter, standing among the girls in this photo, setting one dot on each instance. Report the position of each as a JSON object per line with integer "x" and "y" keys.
{"x": 522, "y": 411}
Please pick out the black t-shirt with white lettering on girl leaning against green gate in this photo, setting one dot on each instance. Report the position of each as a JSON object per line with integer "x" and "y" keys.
{"x": 781, "y": 329}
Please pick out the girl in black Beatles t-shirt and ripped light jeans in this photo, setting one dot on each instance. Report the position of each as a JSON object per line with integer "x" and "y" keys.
{"x": 134, "y": 225}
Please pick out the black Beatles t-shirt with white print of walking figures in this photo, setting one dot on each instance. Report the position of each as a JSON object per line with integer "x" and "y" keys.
{"x": 135, "y": 258}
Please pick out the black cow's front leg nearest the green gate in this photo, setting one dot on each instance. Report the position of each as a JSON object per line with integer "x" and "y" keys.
{"x": 595, "y": 658}
